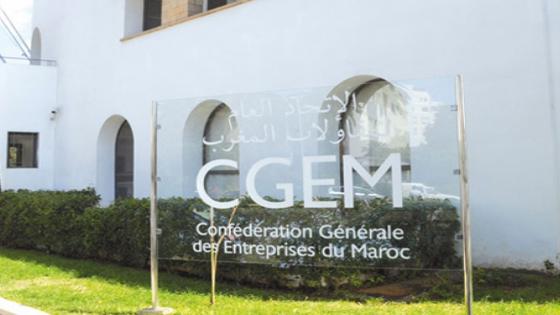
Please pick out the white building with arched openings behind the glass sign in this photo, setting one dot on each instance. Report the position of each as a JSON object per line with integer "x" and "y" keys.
{"x": 109, "y": 70}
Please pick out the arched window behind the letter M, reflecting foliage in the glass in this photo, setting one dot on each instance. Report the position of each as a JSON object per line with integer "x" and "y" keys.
{"x": 375, "y": 125}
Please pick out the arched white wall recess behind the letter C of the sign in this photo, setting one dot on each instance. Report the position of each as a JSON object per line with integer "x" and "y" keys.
{"x": 195, "y": 152}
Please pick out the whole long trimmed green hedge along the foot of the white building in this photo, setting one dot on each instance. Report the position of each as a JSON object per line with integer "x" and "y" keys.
{"x": 72, "y": 224}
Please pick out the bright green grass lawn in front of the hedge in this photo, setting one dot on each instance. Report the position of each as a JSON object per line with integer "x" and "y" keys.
{"x": 66, "y": 286}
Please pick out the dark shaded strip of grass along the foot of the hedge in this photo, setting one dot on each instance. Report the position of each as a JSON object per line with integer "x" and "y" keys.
{"x": 489, "y": 285}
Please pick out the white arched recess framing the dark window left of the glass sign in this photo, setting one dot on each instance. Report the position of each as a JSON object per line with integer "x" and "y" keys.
{"x": 106, "y": 185}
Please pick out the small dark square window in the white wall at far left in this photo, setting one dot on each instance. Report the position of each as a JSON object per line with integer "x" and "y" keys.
{"x": 22, "y": 149}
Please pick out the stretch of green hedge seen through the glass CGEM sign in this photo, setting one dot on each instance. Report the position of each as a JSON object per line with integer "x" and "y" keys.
{"x": 430, "y": 227}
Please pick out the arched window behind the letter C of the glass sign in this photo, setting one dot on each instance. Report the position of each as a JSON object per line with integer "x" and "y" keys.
{"x": 220, "y": 141}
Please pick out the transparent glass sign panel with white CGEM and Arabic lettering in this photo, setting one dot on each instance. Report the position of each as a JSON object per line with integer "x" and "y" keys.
{"x": 360, "y": 176}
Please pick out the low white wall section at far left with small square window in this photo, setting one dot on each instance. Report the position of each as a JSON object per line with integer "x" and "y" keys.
{"x": 27, "y": 96}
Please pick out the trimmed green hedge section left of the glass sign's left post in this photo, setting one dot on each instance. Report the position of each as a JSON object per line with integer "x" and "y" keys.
{"x": 71, "y": 224}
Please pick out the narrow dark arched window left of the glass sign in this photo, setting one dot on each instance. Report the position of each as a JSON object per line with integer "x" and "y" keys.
{"x": 124, "y": 162}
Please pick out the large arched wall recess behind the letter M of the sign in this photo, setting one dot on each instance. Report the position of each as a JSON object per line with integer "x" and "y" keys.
{"x": 372, "y": 114}
